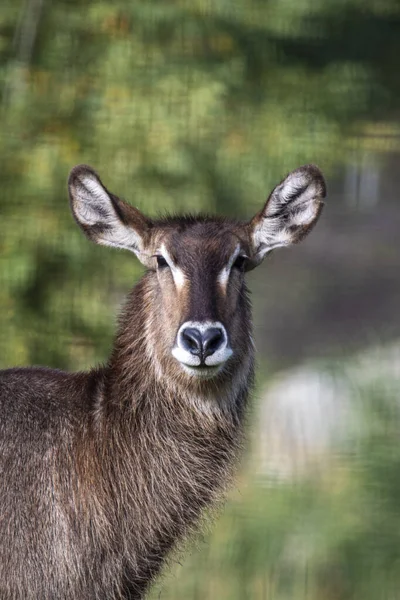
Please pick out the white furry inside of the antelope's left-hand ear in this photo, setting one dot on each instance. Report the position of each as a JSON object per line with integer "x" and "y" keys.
{"x": 93, "y": 206}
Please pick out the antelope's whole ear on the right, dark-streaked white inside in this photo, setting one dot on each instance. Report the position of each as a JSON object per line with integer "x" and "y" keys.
{"x": 290, "y": 212}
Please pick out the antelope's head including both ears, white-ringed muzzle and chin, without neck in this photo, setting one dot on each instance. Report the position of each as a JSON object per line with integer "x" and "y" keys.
{"x": 198, "y": 312}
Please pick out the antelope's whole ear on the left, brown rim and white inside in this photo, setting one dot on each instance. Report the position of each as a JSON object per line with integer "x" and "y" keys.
{"x": 103, "y": 217}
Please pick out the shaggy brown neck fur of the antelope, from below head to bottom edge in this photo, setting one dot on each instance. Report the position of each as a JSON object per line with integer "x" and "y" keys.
{"x": 169, "y": 450}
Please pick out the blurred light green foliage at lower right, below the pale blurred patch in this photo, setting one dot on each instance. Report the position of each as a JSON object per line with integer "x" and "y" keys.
{"x": 331, "y": 537}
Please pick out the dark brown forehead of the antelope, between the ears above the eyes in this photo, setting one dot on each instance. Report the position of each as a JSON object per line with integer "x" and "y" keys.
{"x": 191, "y": 237}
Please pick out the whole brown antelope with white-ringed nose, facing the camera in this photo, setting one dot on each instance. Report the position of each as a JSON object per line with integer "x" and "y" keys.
{"x": 104, "y": 473}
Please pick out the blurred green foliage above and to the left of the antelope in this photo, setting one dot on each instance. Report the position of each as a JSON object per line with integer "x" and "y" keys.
{"x": 180, "y": 106}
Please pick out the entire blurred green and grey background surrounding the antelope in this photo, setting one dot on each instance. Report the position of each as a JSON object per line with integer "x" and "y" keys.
{"x": 204, "y": 106}
